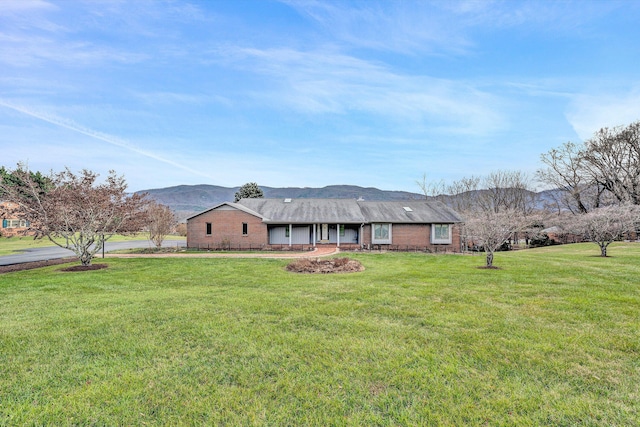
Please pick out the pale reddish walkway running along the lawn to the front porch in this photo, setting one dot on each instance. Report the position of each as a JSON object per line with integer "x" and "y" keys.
{"x": 319, "y": 251}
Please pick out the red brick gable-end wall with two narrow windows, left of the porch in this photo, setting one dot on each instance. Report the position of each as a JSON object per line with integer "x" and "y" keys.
{"x": 226, "y": 229}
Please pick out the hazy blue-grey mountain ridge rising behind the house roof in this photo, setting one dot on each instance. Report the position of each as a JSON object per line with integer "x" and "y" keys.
{"x": 186, "y": 200}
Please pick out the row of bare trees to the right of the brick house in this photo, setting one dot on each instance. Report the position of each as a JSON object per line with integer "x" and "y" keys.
{"x": 596, "y": 194}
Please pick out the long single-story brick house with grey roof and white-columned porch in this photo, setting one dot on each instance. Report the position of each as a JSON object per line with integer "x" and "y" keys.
{"x": 347, "y": 223}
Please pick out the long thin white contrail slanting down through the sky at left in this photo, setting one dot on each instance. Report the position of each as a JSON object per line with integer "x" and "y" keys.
{"x": 110, "y": 139}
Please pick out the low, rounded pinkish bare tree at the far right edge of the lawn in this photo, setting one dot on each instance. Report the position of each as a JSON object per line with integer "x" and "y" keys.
{"x": 605, "y": 225}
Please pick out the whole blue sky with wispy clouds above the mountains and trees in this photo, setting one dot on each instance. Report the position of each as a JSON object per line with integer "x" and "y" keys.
{"x": 309, "y": 93}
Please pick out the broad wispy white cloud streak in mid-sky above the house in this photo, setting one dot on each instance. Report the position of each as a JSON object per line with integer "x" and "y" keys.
{"x": 331, "y": 82}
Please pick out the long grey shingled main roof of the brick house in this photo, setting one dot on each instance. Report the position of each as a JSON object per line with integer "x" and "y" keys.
{"x": 350, "y": 211}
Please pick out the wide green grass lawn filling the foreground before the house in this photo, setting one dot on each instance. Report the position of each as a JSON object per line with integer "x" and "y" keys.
{"x": 552, "y": 338}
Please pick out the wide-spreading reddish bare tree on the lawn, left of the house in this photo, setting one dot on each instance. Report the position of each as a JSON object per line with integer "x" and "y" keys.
{"x": 74, "y": 212}
